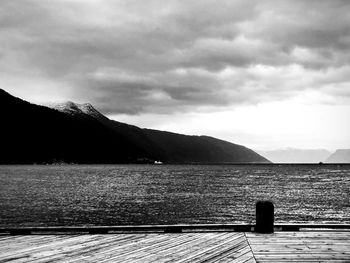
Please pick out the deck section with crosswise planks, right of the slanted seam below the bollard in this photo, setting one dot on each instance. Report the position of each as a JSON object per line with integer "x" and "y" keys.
{"x": 300, "y": 246}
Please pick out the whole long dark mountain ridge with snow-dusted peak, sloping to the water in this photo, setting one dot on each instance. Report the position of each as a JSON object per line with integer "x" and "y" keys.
{"x": 78, "y": 133}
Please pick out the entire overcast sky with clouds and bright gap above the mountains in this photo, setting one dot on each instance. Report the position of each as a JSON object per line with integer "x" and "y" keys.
{"x": 265, "y": 74}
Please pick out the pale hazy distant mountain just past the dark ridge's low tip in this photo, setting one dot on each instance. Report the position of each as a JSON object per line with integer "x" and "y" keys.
{"x": 291, "y": 155}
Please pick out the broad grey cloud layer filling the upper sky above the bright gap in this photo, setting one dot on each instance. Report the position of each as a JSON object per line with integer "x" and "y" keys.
{"x": 164, "y": 56}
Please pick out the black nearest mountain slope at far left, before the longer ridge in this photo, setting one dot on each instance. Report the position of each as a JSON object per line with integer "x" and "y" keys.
{"x": 37, "y": 134}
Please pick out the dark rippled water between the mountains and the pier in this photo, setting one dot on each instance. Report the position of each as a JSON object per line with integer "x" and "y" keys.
{"x": 171, "y": 194}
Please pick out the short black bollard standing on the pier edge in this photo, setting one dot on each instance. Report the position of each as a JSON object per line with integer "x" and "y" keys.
{"x": 264, "y": 217}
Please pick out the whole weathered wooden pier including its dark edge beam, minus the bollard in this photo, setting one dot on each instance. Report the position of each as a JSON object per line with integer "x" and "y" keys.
{"x": 176, "y": 243}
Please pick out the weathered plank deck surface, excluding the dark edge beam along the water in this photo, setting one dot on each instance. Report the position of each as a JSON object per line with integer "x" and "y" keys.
{"x": 185, "y": 247}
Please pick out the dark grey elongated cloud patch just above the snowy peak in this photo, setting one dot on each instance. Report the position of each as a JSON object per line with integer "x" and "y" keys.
{"x": 120, "y": 96}
